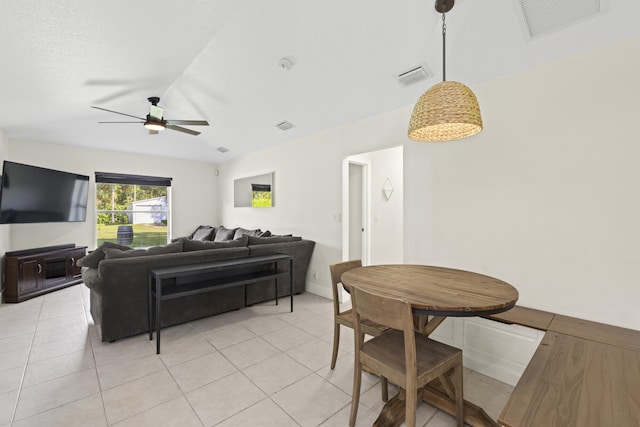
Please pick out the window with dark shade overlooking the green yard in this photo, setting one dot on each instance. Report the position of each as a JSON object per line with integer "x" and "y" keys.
{"x": 132, "y": 210}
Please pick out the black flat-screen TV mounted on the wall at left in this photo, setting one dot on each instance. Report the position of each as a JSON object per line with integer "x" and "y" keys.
{"x": 30, "y": 194}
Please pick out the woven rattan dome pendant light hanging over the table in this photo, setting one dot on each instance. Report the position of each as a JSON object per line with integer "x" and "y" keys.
{"x": 449, "y": 110}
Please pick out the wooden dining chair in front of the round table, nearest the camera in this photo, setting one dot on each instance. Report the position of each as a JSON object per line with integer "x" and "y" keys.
{"x": 406, "y": 358}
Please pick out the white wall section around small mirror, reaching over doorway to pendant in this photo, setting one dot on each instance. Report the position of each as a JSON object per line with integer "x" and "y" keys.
{"x": 308, "y": 187}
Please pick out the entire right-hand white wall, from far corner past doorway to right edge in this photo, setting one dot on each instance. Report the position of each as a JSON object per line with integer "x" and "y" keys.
{"x": 545, "y": 197}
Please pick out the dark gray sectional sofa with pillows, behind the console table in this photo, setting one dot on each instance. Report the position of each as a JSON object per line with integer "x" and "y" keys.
{"x": 117, "y": 277}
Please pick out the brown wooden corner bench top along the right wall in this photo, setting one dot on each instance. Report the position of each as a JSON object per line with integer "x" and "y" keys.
{"x": 583, "y": 374}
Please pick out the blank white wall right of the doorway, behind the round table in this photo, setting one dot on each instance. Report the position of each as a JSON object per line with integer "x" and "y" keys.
{"x": 547, "y": 196}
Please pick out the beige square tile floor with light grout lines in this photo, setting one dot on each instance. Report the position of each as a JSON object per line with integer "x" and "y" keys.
{"x": 260, "y": 366}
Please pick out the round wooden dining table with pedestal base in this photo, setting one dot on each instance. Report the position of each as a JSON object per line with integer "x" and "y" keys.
{"x": 434, "y": 293}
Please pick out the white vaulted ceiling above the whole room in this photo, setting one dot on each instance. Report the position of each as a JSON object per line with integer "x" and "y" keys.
{"x": 217, "y": 60}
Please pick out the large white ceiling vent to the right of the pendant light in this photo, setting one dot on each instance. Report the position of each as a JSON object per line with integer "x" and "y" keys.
{"x": 539, "y": 17}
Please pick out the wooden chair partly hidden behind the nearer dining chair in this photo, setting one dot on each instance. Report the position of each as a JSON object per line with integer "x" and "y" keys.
{"x": 345, "y": 318}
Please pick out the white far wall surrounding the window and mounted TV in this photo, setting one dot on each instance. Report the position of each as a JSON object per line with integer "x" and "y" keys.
{"x": 194, "y": 190}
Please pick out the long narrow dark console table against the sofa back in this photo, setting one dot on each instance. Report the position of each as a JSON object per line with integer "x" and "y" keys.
{"x": 211, "y": 276}
